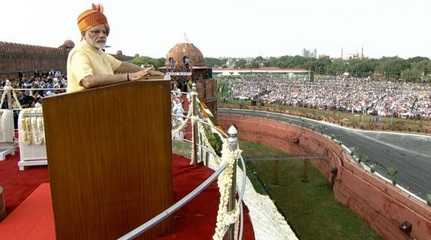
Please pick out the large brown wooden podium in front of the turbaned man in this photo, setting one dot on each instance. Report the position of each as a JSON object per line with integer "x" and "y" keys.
{"x": 109, "y": 156}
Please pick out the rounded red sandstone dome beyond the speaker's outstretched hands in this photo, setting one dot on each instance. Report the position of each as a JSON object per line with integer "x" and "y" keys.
{"x": 183, "y": 54}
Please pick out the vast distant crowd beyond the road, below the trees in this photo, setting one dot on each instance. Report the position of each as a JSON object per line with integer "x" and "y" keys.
{"x": 357, "y": 95}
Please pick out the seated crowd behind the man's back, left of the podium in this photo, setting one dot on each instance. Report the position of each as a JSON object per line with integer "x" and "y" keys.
{"x": 49, "y": 82}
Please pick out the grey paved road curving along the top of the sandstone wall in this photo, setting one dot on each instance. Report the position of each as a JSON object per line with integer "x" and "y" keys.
{"x": 409, "y": 154}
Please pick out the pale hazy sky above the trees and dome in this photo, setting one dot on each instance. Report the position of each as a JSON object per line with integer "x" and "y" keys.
{"x": 240, "y": 28}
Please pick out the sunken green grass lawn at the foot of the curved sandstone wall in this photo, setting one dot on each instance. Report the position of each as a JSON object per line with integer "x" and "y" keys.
{"x": 310, "y": 207}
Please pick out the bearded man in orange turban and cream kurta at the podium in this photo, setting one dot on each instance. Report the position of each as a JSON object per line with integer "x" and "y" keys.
{"x": 88, "y": 65}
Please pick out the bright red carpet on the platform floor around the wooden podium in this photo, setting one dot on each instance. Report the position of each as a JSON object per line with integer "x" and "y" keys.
{"x": 33, "y": 219}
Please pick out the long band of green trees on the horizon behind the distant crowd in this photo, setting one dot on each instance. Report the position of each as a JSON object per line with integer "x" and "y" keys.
{"x": 393, "y": 68}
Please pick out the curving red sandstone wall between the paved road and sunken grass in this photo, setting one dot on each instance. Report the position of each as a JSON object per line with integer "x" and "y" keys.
{"x": 379, "y": 203}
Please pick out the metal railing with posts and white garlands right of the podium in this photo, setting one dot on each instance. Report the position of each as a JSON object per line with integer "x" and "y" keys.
{"x": 196, "y": 117}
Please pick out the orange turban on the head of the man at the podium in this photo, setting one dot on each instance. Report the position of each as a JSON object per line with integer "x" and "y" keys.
{"x": 92, "y": 17}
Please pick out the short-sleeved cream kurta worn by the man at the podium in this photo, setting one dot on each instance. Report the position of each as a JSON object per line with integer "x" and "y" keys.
{"x": 85, "y": 60}
